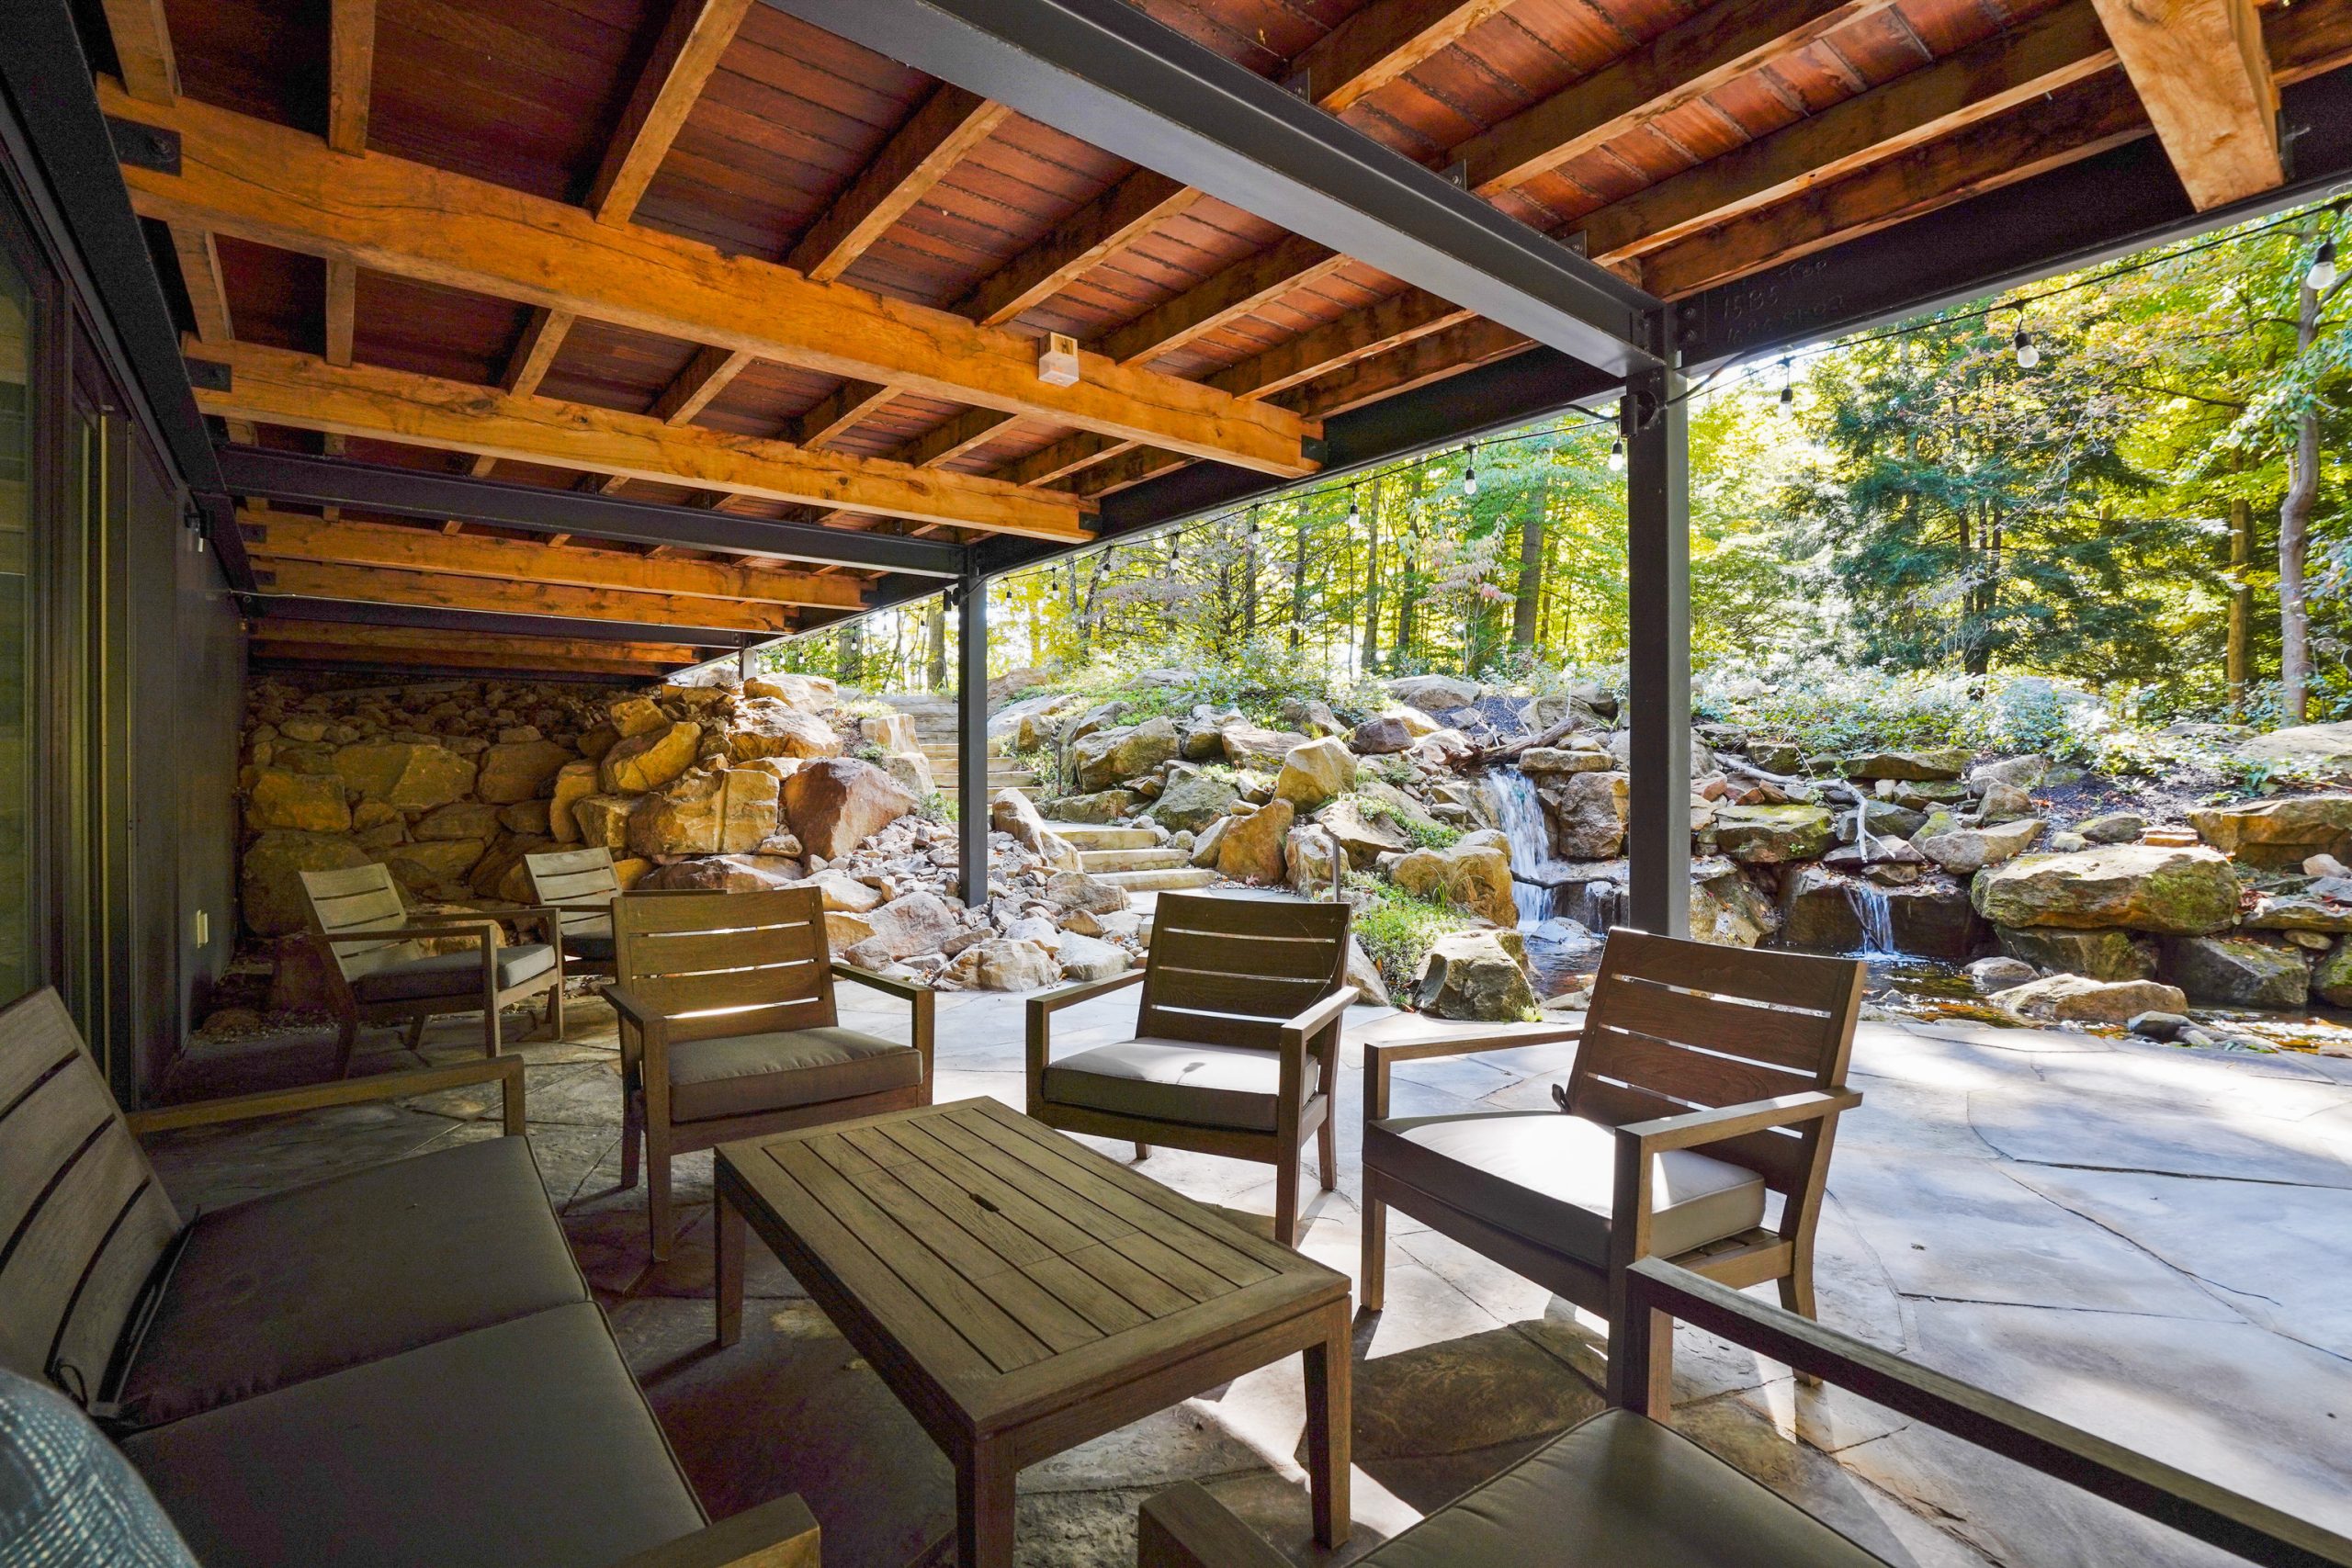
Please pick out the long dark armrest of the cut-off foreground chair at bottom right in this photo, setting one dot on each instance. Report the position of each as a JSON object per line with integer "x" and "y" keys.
{"x": 1977, "y": 1416}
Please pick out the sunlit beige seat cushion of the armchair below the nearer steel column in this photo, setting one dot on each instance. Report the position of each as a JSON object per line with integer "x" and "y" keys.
{"x": 1551, "y": 1179}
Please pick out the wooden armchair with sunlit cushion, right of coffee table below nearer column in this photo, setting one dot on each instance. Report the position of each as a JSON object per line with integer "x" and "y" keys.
{"x": 1709, "y": 1078}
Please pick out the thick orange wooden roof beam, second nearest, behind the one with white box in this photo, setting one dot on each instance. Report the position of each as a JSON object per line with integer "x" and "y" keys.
{"x": 288, "y": 389}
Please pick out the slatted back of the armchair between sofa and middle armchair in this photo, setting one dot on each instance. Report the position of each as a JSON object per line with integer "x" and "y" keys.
{"x": 728, "y": 963}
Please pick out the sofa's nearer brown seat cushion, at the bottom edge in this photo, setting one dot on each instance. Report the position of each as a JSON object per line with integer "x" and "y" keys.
{"x": 512, "y": 1447}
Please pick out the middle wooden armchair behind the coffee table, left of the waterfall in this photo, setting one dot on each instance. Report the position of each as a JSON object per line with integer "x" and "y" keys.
{"x": 1236, "y": 1040}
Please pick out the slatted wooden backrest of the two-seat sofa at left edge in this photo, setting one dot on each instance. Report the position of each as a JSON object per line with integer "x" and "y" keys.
{"x": 83, "y": 1219}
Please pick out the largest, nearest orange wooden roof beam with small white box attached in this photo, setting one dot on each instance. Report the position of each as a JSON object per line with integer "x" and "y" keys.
{"x": 279, "y": 187}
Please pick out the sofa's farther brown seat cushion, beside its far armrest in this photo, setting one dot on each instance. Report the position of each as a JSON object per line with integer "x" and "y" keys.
{"x": 366, "y": 1266}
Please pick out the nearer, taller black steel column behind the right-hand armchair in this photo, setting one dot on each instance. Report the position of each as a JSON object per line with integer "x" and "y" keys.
{"x": 1659, "y": 648}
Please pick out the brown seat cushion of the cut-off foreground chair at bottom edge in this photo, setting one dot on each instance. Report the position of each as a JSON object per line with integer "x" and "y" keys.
{"x": 1622, "y": 1492}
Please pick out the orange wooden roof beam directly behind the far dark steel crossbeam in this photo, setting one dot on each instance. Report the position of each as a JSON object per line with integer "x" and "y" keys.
{"x": 288, "y": 537}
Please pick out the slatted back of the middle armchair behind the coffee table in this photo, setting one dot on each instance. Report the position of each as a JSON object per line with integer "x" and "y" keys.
{"x": 1231, "y": 972}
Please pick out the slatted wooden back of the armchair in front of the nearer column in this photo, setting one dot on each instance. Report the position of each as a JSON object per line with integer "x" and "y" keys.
{"x": 1683, "y": 1026}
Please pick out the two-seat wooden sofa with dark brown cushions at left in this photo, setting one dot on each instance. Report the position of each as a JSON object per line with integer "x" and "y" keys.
{"x": 392, "y": 1367}
